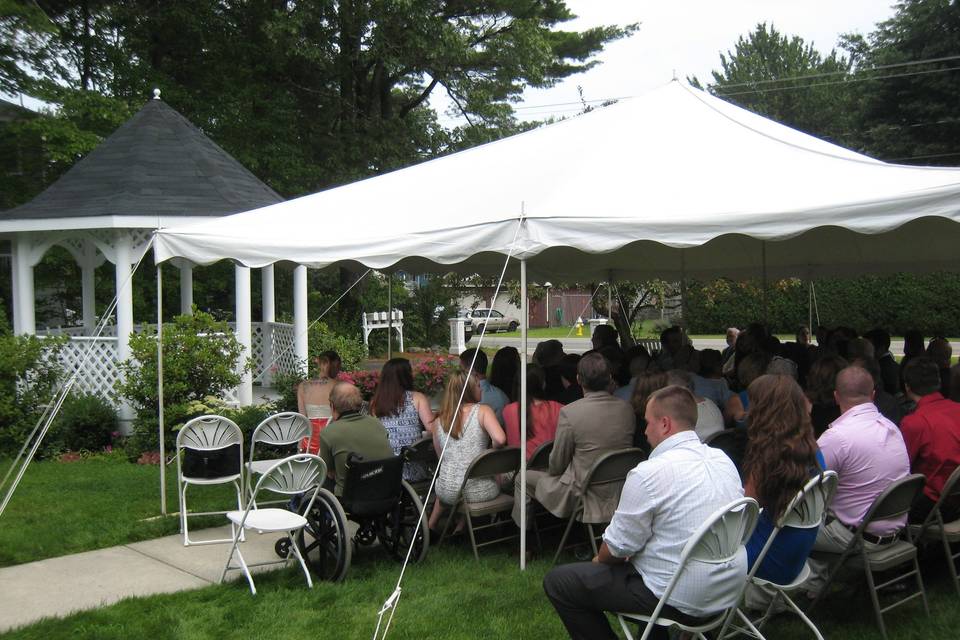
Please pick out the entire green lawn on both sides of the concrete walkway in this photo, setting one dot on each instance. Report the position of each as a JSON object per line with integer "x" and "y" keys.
{"x": 64, "y": 508}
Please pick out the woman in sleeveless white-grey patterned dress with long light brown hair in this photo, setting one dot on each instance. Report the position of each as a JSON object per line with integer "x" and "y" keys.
{"x": 466, "y": 428}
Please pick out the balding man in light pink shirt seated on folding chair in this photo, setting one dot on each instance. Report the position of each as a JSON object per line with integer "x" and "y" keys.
{"x": 868, "y": 453}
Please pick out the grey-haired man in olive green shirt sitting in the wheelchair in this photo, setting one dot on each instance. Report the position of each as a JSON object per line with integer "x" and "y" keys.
{"x": 350, "y": 432}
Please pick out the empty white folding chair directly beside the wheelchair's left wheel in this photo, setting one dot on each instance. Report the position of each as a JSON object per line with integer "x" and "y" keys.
{"x": 299, "y": 474}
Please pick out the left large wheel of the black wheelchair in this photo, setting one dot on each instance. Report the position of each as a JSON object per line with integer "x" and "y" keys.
{"x": 325, "y": 540}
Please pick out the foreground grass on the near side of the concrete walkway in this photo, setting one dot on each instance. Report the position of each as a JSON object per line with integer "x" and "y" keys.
{"x": 449, "y": 596}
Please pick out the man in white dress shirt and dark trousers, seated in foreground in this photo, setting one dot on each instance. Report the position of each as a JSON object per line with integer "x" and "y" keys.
{"x": 664, "y": 501}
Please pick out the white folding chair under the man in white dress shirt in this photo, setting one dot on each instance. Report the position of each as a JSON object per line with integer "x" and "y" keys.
{"x": 718, "y": 540}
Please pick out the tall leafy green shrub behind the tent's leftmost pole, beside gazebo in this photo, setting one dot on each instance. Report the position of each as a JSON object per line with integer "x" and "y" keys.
{"x": 199, "y": 360}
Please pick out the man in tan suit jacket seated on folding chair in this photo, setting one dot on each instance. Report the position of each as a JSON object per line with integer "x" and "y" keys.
{"x": 586, "y": 429}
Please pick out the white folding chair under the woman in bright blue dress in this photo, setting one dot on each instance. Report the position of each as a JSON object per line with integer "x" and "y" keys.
{"x": 807, "y": 510}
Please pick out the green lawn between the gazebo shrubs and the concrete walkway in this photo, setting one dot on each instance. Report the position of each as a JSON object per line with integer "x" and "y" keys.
{"x": 62, "y": 508}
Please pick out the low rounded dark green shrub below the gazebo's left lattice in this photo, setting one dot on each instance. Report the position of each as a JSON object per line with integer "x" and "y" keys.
{"x": 86, "y": 422}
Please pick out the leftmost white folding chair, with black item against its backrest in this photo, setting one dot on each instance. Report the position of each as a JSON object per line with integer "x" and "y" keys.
{"x": 209, "y": 452}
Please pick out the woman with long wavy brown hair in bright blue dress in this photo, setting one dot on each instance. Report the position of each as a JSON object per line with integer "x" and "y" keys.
{"x": 782, "y": 455}
